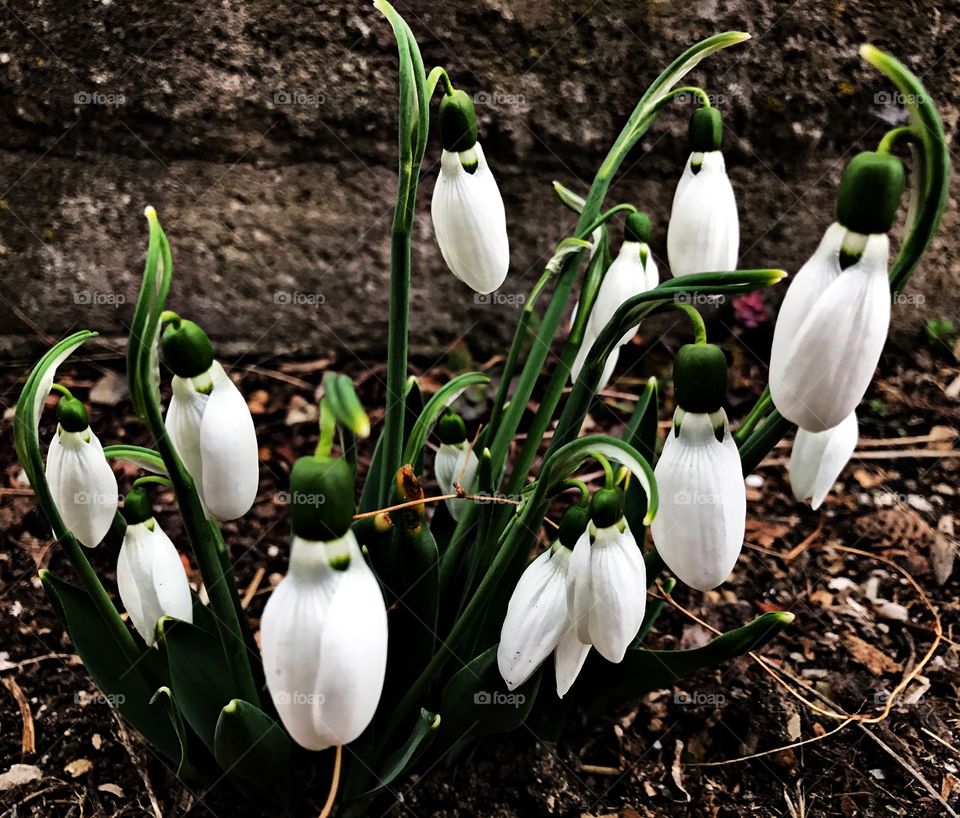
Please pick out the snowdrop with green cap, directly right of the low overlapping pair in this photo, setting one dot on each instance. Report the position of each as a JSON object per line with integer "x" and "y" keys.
{"x": 700, "y": 523}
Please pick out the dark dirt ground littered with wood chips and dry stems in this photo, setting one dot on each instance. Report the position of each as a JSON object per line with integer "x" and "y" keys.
{"x": 738, "y": 741}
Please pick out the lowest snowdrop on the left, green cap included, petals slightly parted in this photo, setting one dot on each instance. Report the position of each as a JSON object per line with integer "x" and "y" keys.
{"x": 150, "y": 574}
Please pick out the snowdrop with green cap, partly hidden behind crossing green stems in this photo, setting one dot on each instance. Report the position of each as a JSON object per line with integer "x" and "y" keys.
{"x": 632, "y": 272}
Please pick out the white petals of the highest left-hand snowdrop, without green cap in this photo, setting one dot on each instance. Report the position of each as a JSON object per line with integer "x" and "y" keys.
{"x": 210, "y": 425}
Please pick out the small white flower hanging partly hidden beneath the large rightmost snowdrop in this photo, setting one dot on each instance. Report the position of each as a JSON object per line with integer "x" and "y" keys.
{"x": 818, "y": 458}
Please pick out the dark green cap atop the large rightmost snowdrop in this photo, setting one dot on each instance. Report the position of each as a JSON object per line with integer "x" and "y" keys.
{"x": 870, "y": 191}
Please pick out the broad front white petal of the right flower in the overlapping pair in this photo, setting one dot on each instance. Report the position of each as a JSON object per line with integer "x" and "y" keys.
{"x": 618, "y": 579}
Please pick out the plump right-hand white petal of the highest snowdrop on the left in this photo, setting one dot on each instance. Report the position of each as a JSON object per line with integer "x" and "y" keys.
{"x": 228, "y": 448}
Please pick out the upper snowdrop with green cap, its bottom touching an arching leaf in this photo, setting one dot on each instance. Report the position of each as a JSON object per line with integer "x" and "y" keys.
{"x": 704, "y": 232}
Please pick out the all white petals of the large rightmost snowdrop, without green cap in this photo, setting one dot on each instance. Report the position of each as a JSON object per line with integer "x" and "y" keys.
{"x": 830, "y": 331}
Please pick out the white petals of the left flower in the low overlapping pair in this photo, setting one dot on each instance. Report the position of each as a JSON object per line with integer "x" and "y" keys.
{"x": 538, "y": 623}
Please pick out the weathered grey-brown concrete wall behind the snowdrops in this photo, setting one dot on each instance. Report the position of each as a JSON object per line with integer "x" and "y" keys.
{"x": 263, "y": 132}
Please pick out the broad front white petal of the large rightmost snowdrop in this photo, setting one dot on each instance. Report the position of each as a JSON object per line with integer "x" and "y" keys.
{"x": 836, "y": 349}
